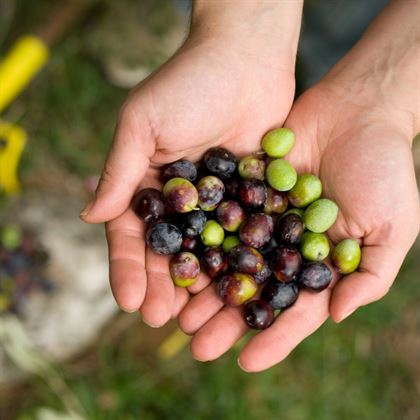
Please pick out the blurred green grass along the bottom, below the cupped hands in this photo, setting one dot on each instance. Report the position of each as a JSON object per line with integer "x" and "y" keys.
{"x": 363, "y": 368}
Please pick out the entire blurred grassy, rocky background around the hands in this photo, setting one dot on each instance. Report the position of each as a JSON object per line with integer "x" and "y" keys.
{"x": 66, "y": 351}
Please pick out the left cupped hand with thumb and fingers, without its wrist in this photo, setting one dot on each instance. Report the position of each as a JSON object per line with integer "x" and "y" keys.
{"x": 210, "y": 93}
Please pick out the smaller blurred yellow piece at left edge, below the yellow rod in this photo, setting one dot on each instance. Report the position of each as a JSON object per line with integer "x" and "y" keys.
{"x": 12, "y": 142}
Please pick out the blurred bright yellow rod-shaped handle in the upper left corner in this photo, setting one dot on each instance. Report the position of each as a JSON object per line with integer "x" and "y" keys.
{"x": 19, "y": 66}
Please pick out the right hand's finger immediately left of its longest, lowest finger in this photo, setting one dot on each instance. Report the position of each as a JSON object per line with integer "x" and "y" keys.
{"x": 219, "y": 334}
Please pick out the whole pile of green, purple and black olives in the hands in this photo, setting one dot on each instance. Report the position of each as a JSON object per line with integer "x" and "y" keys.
{"x": 253, "y": 225}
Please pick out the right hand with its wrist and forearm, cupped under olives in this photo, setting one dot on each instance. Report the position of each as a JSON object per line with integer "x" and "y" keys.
{"x": 354, "y": 129}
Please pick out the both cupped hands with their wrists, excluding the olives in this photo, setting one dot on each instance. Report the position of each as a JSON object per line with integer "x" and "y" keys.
{"x": 353, "y": 130}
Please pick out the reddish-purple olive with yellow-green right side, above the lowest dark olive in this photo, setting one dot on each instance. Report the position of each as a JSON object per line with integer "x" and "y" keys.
{"x": 235, "y": 289}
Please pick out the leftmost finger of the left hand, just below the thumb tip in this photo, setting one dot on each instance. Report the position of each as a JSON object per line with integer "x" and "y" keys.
{"x": 127, "y": 273}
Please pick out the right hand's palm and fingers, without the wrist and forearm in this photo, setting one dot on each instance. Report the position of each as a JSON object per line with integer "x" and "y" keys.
{"x": 363, "y": 158}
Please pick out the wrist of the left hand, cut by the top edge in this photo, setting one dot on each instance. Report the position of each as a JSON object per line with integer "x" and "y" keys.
{"x": 268, "y": 31}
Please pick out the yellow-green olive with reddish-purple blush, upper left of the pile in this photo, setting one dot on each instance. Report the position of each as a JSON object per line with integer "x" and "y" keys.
{"x": 181, "y": 195}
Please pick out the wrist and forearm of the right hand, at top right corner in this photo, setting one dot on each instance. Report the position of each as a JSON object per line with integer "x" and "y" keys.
{"x": 381, "y": 71}
